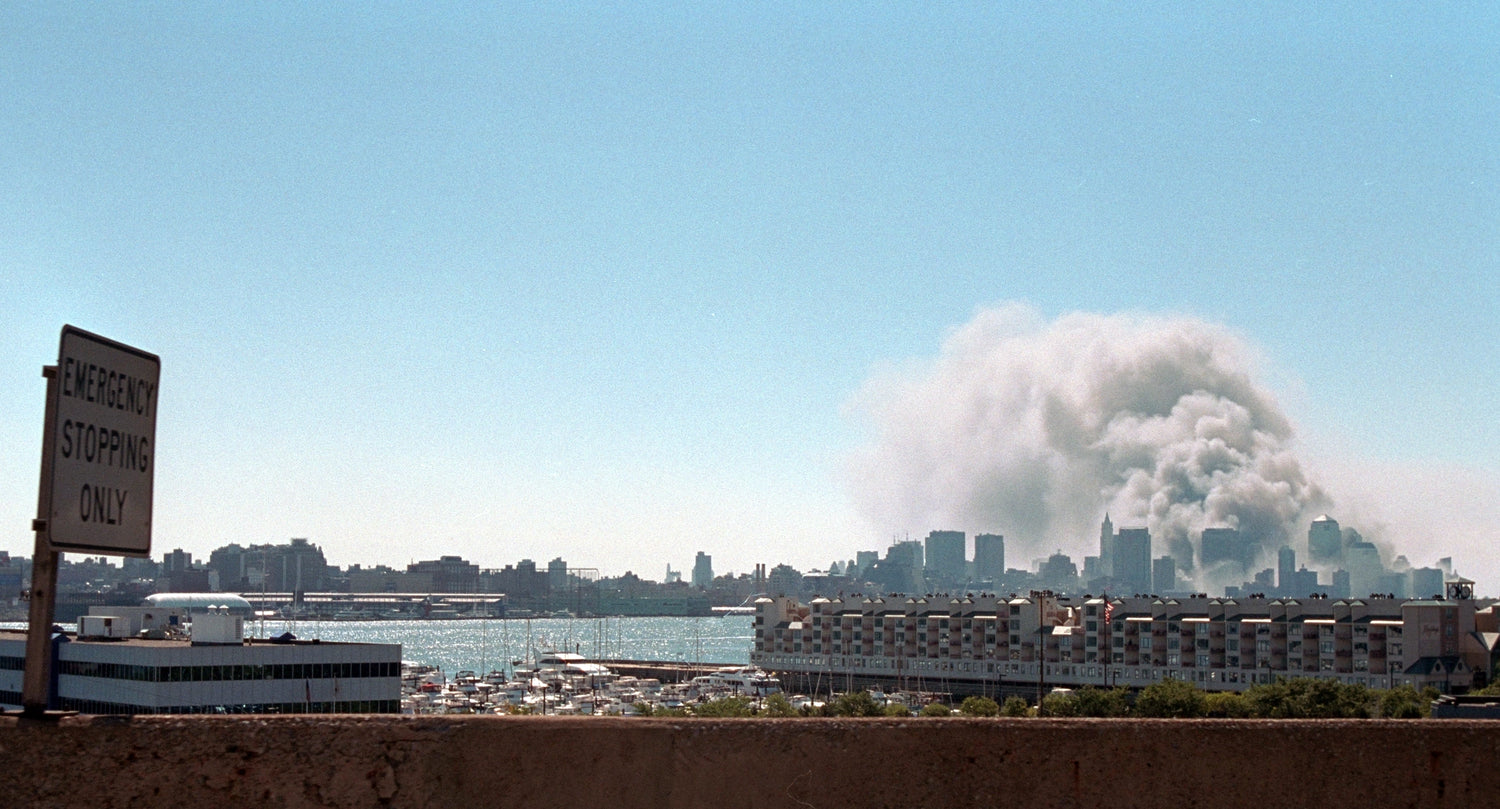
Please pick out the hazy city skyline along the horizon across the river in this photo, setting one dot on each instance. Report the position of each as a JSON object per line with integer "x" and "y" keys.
{"x": 1225, "y": 564}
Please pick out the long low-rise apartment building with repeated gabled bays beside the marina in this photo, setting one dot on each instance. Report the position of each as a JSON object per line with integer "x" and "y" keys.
{"x": 988, "y": 643}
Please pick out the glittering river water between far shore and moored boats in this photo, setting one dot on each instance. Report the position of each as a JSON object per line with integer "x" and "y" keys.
{"x": 493, "y": 645}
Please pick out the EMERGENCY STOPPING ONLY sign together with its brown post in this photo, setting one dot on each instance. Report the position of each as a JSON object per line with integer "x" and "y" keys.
{"x": 98, "y": 471}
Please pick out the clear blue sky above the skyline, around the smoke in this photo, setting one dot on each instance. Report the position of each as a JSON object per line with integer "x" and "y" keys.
{"x": 601, "y": 281}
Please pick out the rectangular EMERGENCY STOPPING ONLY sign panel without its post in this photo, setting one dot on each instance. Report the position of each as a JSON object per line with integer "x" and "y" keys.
{"x": 104, "y": 447}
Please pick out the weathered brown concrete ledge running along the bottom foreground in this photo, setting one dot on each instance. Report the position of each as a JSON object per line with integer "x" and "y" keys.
{"x": 221, "y": 763}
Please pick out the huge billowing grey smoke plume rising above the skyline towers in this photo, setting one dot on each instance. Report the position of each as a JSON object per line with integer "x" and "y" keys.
{"x": 1037, "y": 429}
